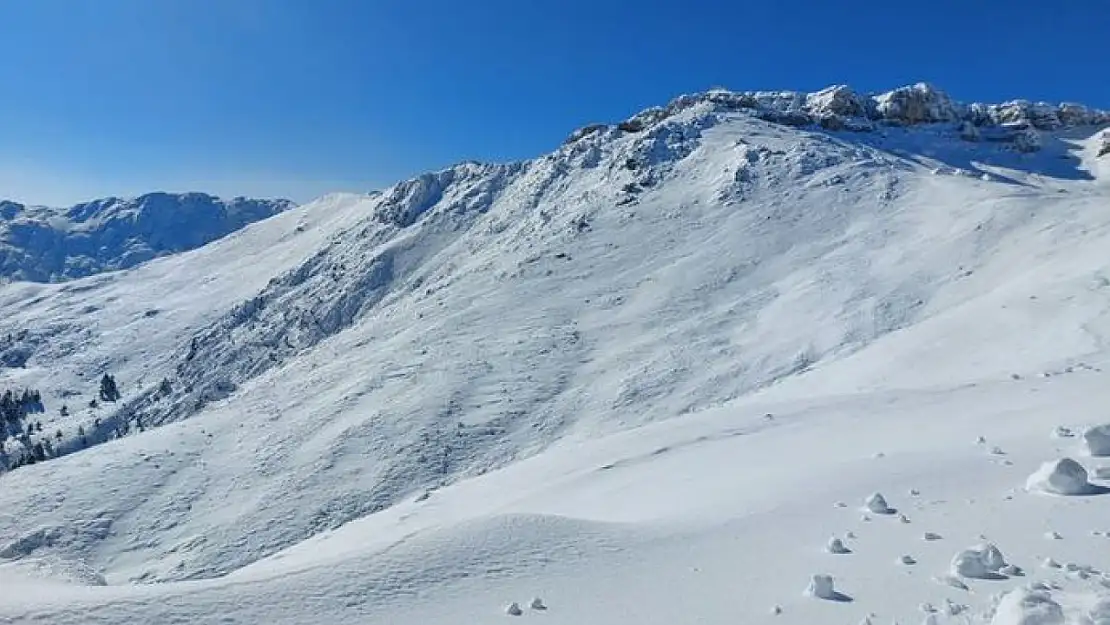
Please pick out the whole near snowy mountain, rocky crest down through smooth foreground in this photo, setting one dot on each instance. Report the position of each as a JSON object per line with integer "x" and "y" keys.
{"x": 634, "y": 377}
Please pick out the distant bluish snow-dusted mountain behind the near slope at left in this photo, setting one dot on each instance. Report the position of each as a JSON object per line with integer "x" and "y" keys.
{"x": 46, "y": 245}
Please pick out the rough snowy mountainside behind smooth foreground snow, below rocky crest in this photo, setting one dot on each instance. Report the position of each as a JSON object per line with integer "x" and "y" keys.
{"x": 351, "y": 355}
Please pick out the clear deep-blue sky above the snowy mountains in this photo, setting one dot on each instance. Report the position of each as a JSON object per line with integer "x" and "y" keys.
{"x": 297, "y": 98}
